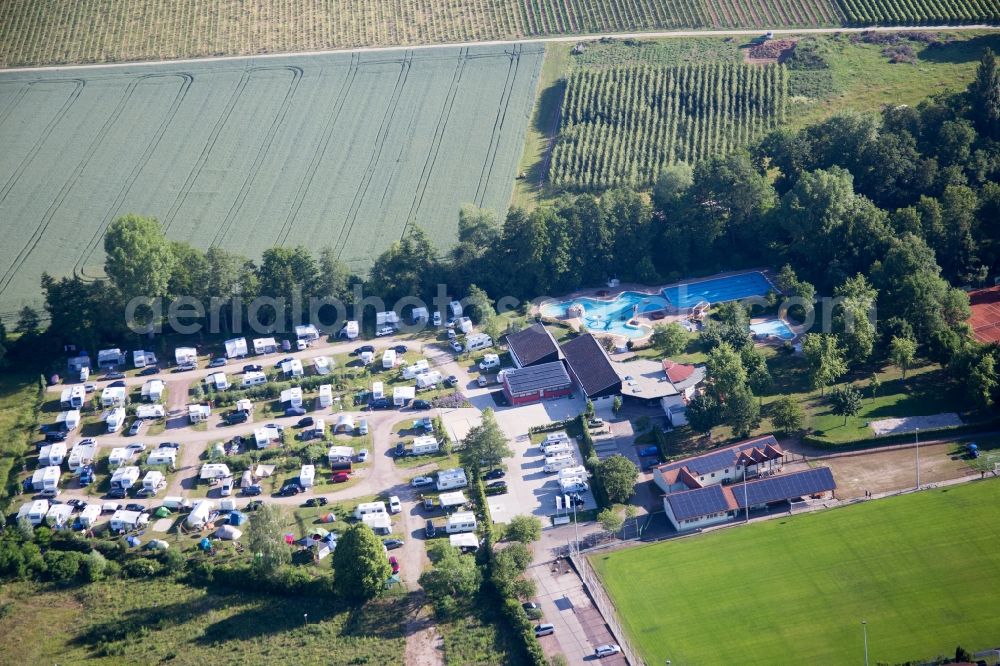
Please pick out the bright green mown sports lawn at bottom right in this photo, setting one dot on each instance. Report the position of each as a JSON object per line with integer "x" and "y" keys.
{"x": 922, "y": 569}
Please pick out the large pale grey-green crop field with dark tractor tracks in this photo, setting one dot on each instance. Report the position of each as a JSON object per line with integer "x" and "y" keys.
{"x": 340, "y": 150}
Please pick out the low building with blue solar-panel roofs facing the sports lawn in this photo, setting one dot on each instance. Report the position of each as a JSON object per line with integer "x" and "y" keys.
{"x": 711, "y": 505}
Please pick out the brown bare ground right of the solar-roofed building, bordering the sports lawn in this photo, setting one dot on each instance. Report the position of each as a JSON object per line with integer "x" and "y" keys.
{"x": 888, "y": 471}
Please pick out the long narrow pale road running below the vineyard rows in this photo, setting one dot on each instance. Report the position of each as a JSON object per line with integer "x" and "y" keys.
{"x": 653, "y": 34}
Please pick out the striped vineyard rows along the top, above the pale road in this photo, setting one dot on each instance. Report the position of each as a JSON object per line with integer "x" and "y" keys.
{"x": 36, "y": 32}
